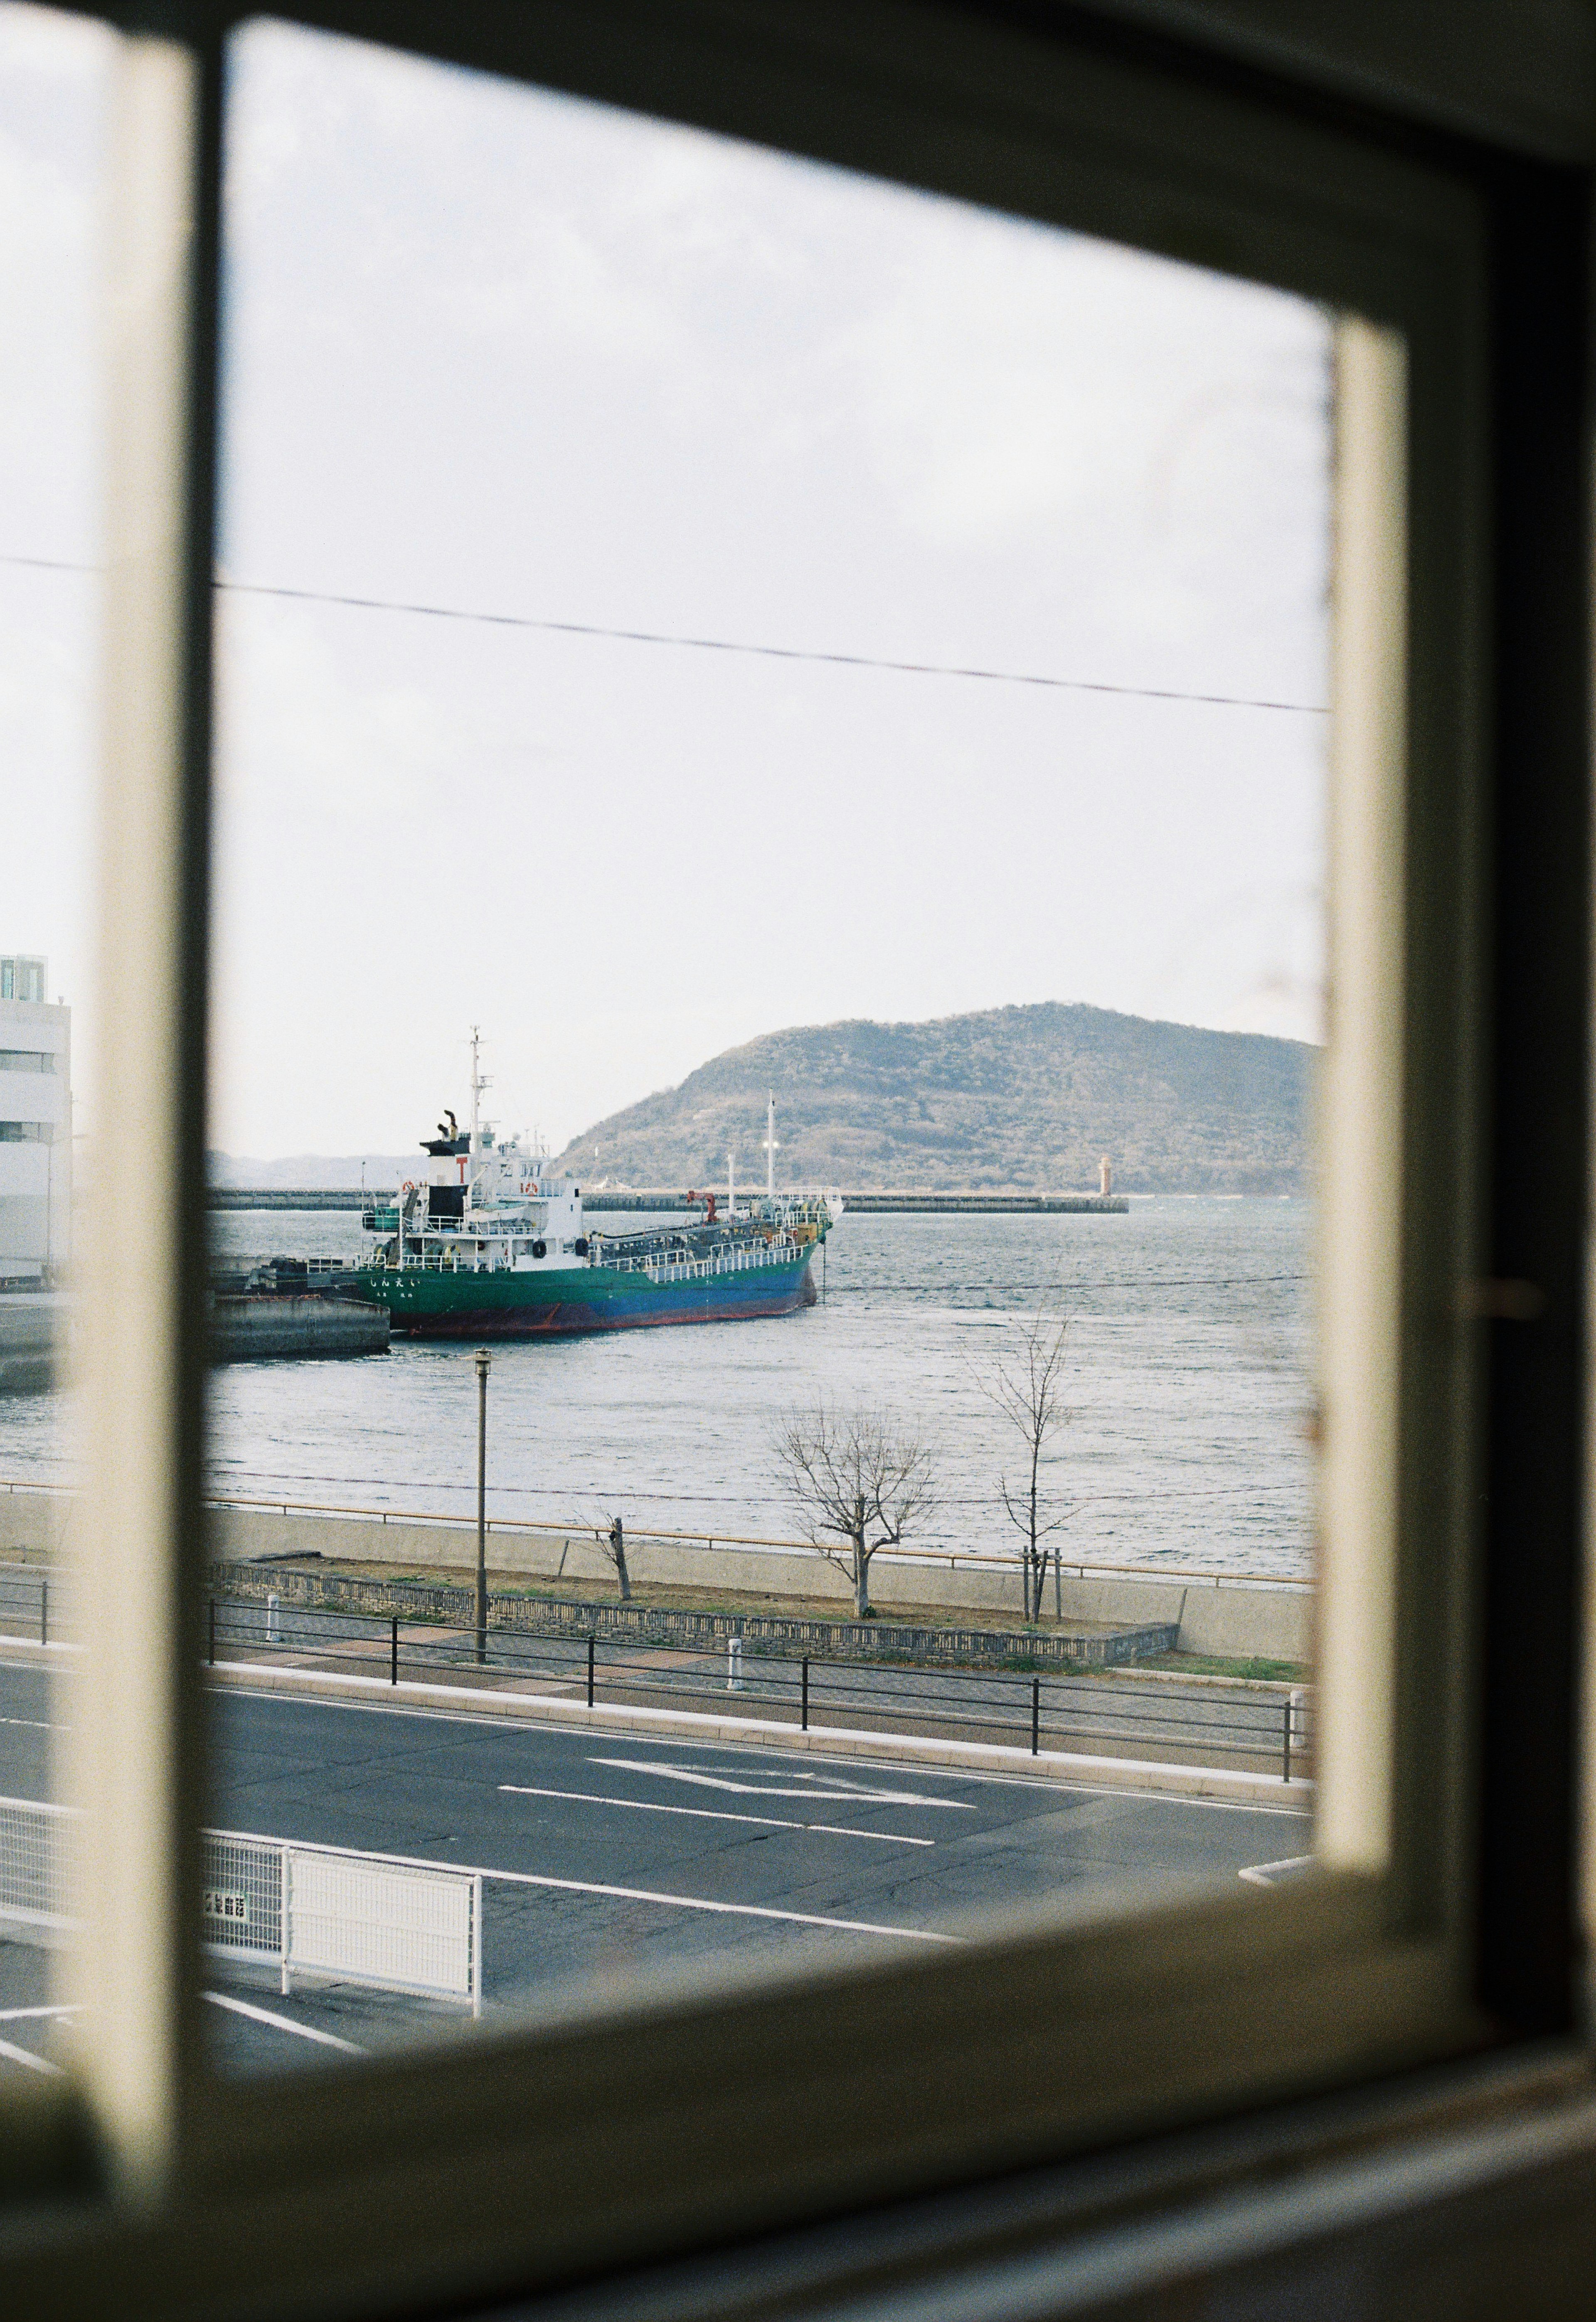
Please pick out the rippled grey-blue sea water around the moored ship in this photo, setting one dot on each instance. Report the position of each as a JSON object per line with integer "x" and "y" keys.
{"x": 1186, "y": 1383}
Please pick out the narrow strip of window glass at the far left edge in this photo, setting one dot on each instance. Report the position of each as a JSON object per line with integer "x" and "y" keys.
{"x": 55, "y": 92}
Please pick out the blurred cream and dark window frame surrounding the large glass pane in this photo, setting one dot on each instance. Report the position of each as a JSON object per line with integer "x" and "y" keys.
{"x": 1174, "y": 2019}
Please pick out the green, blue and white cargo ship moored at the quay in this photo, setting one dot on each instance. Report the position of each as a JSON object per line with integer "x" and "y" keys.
{"x": 487, "y": 1243}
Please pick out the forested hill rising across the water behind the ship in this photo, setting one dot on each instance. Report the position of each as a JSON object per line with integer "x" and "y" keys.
{"x": 1005, "y": 1099}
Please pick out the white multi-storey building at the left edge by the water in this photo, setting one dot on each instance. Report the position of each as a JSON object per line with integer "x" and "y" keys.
{"x": 36, "y": 1125}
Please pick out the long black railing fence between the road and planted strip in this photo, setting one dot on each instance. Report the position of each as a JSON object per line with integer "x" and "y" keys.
{"x": 747, "y": 1680}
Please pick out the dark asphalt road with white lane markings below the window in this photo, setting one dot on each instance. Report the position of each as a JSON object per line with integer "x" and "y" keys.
{"x": 726, "y": 1854}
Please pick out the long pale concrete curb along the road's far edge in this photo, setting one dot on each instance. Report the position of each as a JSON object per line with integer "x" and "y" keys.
{"x": 835, "y": 1740}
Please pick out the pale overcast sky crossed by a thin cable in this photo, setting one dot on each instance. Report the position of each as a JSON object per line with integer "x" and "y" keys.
{"x": 510, "y": 354}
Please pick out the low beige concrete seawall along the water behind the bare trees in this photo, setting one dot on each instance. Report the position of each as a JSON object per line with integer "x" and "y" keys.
{"x": 1228, "y": 1620}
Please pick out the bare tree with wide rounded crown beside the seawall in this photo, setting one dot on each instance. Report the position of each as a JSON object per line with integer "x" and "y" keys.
{"x": 861, "y": 1483}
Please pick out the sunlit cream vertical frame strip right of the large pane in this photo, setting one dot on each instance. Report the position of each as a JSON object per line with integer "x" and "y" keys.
{"x": 1363, "y": 1104}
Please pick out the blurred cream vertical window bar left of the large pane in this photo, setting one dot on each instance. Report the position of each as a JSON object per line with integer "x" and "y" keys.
{"x": 134, "y": 1754}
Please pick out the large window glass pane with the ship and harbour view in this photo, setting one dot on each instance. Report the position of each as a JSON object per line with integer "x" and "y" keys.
{"x": 768, "y": 983}
